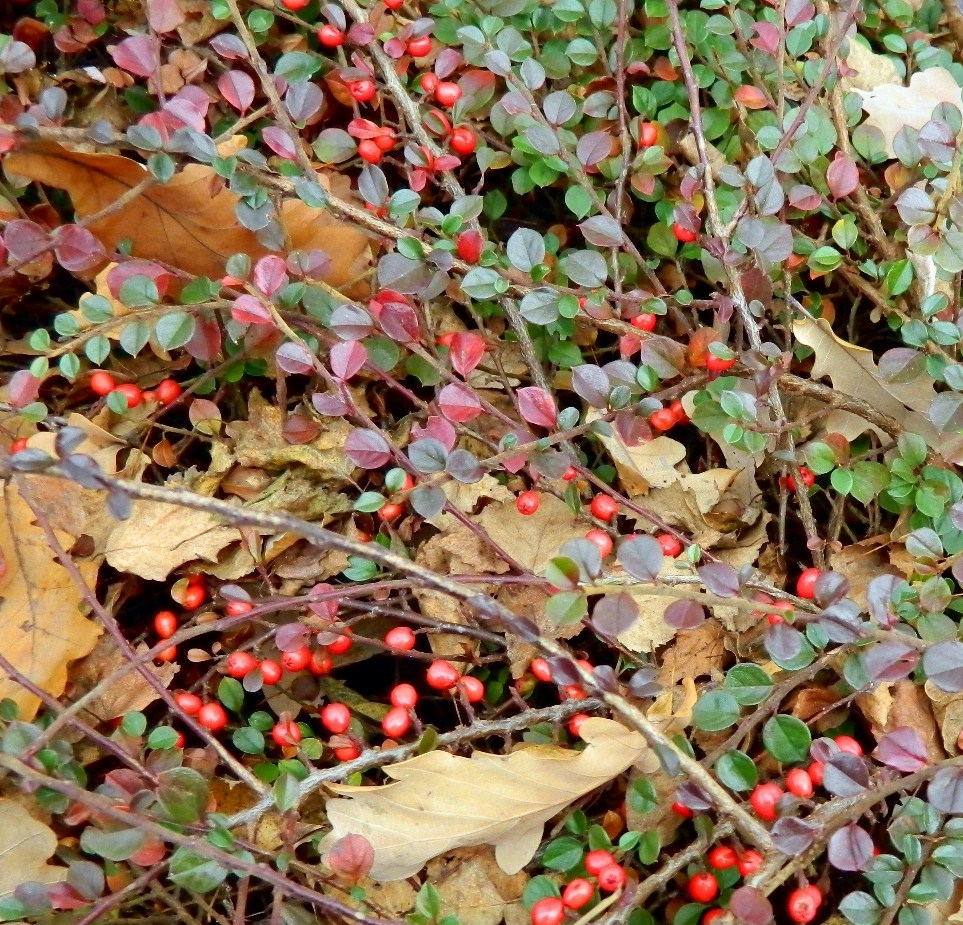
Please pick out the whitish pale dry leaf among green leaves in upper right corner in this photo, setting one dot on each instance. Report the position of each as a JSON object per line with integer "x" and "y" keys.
{"x": 892, "y": 106}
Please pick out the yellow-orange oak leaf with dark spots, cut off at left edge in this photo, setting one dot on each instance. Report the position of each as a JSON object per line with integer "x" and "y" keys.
{"x": 42, "y": 622}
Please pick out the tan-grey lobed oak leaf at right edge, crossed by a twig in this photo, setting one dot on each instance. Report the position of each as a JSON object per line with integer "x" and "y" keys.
{"x": 854, "y": 372}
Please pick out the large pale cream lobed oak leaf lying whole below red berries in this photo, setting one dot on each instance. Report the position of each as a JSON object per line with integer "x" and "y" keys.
{"x": 439, "y": 802}
